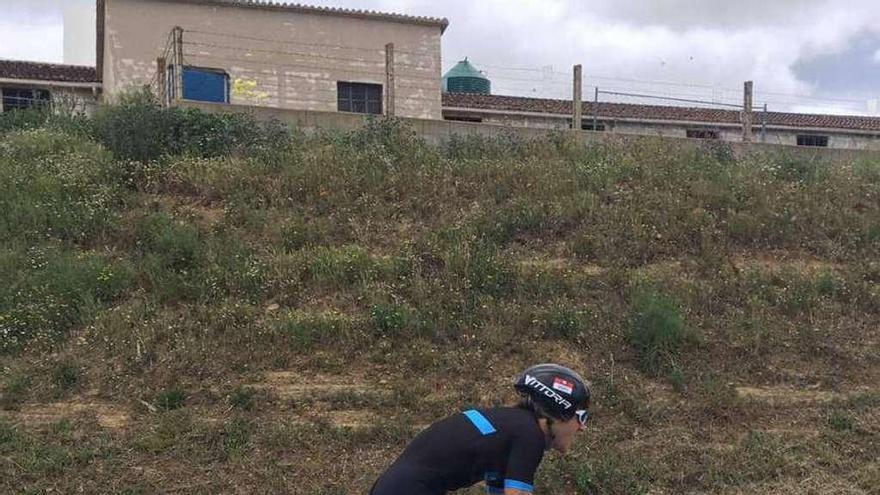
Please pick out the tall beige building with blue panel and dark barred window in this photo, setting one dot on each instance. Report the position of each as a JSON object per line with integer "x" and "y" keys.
{"x": 276, "y": 55}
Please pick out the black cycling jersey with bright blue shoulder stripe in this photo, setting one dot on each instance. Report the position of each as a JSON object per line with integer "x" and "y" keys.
{"x": 502, "y": 446}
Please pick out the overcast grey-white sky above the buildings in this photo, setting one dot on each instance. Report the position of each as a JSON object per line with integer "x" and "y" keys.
{"x": 803, "y": 55}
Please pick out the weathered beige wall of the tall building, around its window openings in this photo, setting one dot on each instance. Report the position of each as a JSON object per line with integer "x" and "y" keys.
{"x": 294, "y": 58}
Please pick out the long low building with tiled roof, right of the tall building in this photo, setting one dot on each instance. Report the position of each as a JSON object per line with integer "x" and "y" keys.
{"x": 796, "y": 129}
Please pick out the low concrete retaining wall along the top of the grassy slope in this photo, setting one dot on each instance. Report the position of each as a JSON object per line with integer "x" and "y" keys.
{"x": 439, "y": 131}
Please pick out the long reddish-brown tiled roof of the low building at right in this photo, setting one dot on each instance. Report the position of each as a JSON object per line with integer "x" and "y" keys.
{"x": 656, "y": 112}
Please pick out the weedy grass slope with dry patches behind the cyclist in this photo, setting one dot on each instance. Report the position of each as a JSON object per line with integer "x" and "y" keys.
{"x": 283, "y": 320}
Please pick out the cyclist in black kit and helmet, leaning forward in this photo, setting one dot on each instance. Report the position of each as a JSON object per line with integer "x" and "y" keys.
{"x": 501, "y": 446}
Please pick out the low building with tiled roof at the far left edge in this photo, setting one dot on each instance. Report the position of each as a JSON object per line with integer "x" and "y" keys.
{"x": 66, "y": 88}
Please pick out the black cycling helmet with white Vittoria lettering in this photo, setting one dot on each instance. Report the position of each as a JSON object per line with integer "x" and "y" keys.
{"x": 559, "y": 390}
